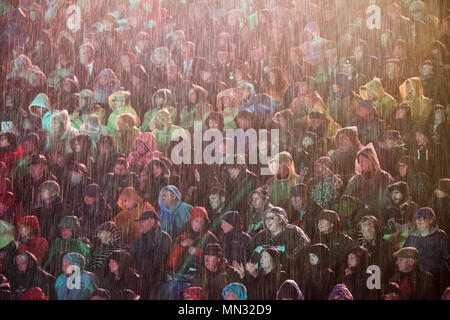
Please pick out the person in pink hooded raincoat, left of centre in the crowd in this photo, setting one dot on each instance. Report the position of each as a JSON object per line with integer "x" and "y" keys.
{"x": 141, "y": 159}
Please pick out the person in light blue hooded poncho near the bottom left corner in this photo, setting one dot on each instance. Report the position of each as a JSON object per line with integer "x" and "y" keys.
{"x": 88, "y": 281}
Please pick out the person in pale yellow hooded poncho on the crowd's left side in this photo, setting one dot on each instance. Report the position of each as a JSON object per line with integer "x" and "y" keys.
{"x": 119, "y": 102}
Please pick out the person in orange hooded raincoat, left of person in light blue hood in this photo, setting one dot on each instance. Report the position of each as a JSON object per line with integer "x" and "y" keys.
{"x": 132, "y": 207}
